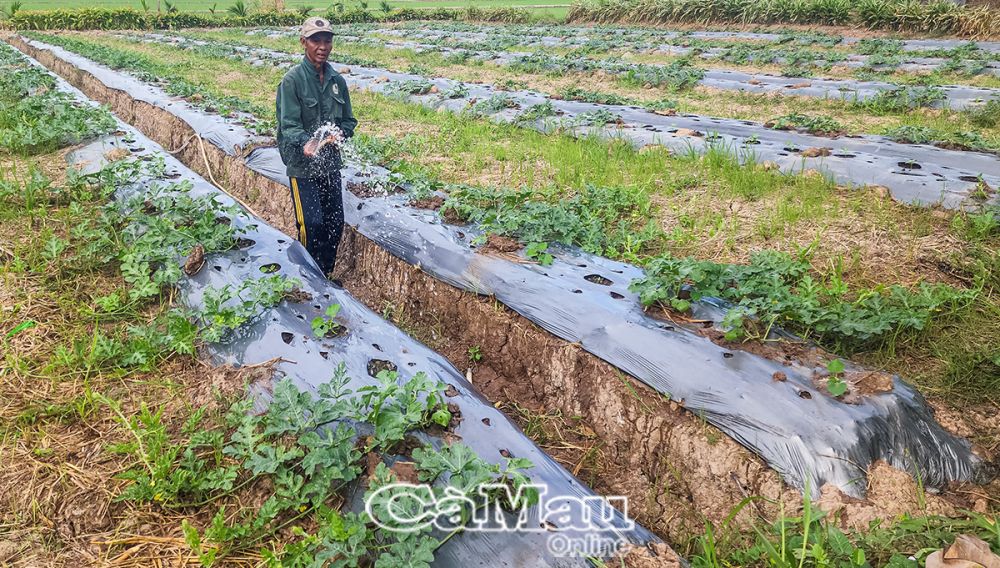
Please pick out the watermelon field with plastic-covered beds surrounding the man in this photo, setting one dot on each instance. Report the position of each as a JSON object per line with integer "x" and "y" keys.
{"x": 699, "y": 267}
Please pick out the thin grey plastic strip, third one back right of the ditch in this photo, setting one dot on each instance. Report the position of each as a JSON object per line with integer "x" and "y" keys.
{"x": 956, "y": 97}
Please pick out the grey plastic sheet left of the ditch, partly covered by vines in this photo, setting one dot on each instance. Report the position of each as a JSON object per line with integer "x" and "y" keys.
{"x": 285, "y": 332}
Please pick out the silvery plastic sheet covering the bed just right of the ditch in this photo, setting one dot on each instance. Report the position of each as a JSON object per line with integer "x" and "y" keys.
{"x": 802, "y": 432}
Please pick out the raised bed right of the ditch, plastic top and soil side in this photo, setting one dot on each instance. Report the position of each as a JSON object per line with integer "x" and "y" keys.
{"x": 671, "y": 463}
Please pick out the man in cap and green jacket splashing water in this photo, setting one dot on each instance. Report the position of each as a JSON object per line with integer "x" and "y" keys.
{"x": 311, "y": 95}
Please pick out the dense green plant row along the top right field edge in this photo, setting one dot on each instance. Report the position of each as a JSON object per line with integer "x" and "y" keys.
{"x": 938, "y": 16}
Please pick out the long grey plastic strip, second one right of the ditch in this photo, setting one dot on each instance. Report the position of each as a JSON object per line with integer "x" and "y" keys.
{"x": 914, "y": 173}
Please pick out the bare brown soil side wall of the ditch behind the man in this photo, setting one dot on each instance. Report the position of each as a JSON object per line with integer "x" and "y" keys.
{"x": 673, "y": 465}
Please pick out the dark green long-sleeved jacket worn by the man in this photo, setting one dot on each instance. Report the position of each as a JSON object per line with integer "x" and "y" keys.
{"x": 303, "y": 105}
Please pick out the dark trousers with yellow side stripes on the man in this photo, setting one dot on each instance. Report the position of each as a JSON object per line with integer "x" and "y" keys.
{"x": 319, "y": 216}
